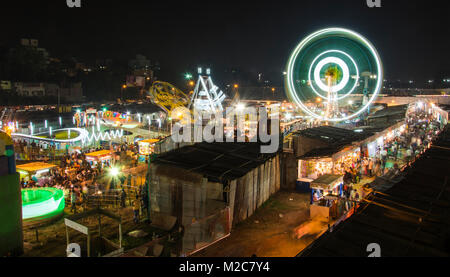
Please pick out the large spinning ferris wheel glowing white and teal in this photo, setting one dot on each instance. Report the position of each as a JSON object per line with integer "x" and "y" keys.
{"x": 329, "y": 69}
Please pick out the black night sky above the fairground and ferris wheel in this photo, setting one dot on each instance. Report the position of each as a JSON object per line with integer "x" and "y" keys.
{"x": 412, "y": 37}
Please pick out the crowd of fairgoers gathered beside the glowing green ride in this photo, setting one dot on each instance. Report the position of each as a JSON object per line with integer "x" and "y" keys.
{"x": 82, "y": 181}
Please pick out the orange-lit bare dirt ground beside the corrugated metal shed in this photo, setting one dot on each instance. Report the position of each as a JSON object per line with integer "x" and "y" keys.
{"x": 271, "y": 231}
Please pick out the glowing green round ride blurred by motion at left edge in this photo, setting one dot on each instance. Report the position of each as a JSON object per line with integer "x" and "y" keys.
{"x": 42, "y": 203}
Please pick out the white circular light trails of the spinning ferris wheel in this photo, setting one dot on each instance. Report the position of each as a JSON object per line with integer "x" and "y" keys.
{"x": 294, "y": 93}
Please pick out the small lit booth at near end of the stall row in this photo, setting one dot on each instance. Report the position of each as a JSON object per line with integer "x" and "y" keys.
{"x": 325, "y": 193}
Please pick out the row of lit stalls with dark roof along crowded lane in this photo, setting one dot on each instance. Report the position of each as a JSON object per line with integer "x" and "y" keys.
{"x": 323, "y": 156}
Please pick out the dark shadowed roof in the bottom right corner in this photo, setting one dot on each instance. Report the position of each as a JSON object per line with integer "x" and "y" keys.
{"x": 409, "y": 219}
